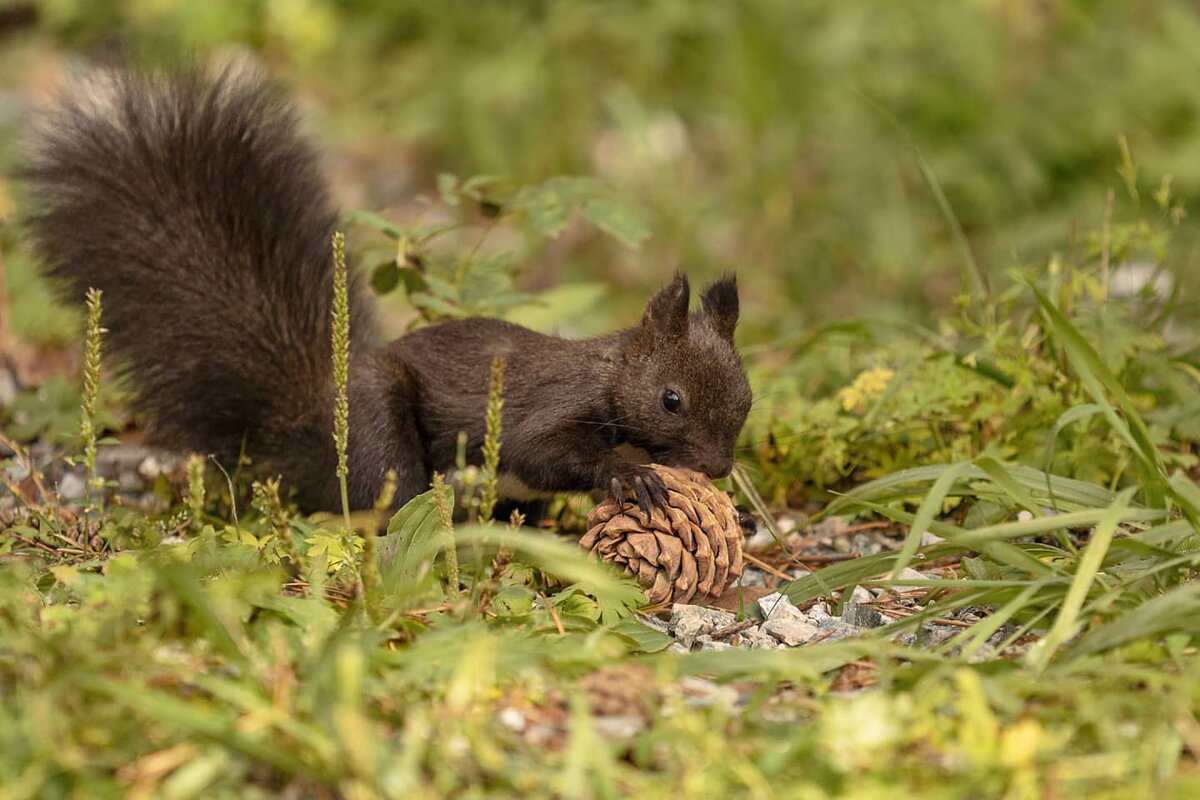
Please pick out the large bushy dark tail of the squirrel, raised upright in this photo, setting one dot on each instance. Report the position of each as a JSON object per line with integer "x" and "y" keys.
{"x": 199, "y": 210}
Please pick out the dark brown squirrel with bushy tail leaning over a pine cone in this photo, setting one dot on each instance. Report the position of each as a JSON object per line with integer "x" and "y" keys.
{"x": 194, "y": 204}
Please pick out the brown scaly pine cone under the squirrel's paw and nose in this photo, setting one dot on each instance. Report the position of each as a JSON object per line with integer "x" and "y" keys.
{"x": 692, "y": 549}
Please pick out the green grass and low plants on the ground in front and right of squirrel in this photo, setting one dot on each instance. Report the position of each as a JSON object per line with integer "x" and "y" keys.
{"x": 239, "y": 659}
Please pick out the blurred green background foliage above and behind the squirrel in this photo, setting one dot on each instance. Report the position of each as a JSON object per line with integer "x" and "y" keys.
{"x": 799, "y": 143}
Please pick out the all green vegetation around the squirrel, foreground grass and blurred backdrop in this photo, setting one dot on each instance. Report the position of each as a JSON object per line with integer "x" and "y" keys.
{"x": 842, "y": 158}
